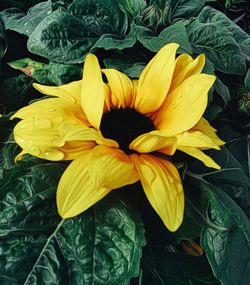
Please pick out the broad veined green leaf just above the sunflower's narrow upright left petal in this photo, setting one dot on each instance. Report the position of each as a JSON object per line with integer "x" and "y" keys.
{"x": 65, "y": 38}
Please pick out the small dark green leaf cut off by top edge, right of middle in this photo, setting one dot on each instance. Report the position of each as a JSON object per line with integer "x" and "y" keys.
{"x": 186, "y": 9}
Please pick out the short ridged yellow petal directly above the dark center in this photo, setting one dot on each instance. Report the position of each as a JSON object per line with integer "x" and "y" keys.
{"x": 121, "y": 88}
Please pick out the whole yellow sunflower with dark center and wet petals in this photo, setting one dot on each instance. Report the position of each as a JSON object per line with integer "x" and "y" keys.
{"x": 115, "y": 131}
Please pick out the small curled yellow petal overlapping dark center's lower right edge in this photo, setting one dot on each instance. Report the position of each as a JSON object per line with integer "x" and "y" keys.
{"x": 154, "y": 141}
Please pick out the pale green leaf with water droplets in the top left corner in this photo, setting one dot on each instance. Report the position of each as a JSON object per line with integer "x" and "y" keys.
{"x": 16, "y": 20}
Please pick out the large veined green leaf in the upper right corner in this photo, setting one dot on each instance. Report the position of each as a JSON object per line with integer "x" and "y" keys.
{"x": 217, "y": 41}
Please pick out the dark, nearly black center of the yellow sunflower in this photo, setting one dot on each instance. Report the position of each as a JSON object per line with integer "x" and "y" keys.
{"x": 124, "y": 125}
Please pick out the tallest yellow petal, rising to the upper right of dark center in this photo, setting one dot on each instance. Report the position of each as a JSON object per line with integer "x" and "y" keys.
{"x": 155, "y": 80}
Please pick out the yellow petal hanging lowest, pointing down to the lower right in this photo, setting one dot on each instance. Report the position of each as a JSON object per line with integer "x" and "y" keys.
{"x": 162, "y": 185}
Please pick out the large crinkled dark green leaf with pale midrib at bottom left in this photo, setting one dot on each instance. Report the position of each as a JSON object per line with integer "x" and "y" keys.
{"x": 101, "y": 246}
